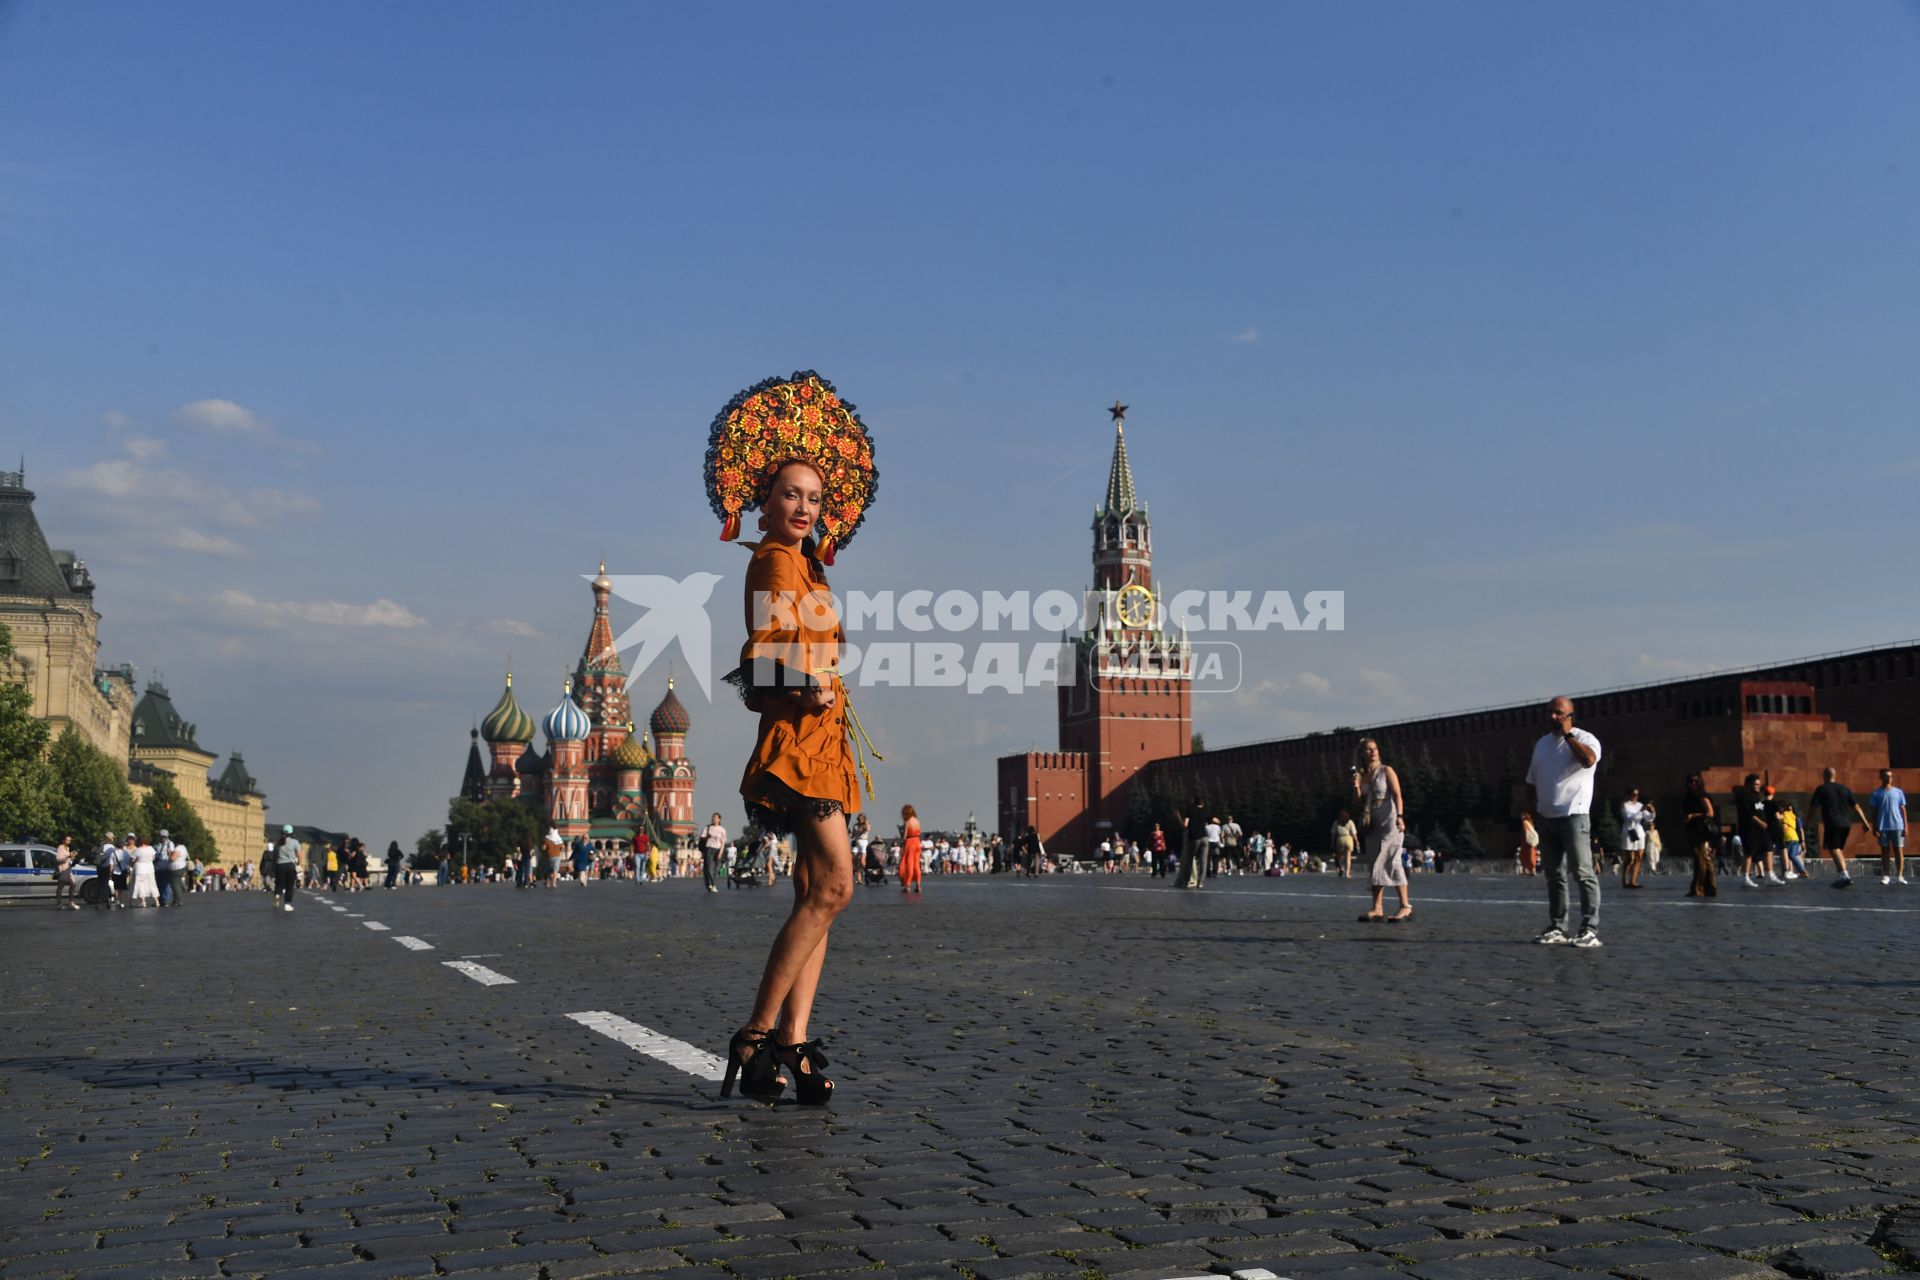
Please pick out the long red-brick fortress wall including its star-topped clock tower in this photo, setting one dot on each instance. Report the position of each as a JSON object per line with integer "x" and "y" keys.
{"x": 1126, "y": 726}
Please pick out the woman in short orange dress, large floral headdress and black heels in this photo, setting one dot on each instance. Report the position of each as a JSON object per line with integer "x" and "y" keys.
{"x": 802, "y": 456}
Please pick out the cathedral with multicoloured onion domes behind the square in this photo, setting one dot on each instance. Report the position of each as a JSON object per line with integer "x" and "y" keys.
{"x": 596, "y": 778}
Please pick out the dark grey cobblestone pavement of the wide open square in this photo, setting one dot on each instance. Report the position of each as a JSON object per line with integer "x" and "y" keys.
{"x": 1074, "y": 1078}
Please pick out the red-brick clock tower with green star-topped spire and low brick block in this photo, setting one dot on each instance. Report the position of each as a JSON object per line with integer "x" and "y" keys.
{"x": 1130, "y": 696}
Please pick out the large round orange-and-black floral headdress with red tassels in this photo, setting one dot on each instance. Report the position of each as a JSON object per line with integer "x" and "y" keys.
{"x": 780, "y": 421}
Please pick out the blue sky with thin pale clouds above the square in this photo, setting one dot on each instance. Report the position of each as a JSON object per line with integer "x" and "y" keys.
{"x": 1573, "y": 343}
